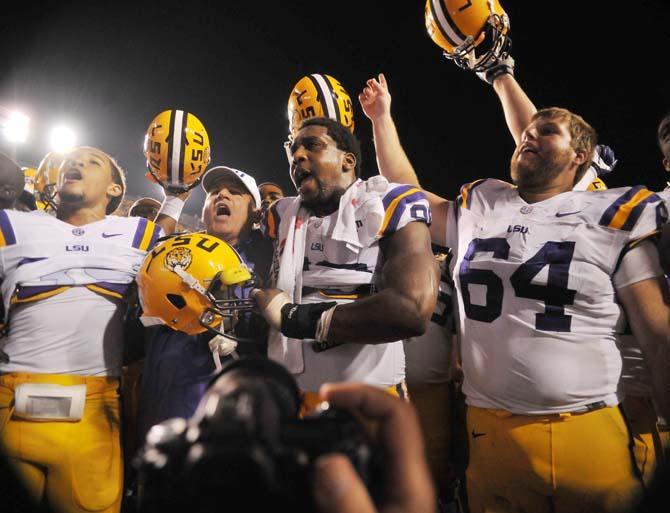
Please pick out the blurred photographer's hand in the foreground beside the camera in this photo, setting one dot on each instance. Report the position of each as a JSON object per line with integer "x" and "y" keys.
{"x": 337, "y": 487}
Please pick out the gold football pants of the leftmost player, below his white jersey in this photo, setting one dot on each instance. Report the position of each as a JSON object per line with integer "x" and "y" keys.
{"x": 75, "y": 466}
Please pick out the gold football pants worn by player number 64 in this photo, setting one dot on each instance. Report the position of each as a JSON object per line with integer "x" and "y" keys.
{"x": 550, "y": 463}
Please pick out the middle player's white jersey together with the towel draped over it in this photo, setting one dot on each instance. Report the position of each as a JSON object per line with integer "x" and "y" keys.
{"x": 335, "y": 270}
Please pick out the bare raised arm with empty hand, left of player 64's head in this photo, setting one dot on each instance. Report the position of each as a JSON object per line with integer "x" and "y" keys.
{"x": 391, "y": 157}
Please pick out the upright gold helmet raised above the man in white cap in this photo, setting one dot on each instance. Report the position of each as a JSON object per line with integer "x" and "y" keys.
{"x": 176, "y": 146}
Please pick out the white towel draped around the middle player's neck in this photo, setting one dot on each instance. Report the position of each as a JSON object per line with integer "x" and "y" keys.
{"x": 362, "y": 201}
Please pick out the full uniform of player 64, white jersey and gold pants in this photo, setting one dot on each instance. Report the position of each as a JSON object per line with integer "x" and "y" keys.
{"x": 538, "y": 320}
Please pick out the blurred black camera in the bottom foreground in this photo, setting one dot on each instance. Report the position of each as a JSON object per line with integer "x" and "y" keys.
{"x": 247, "y": 446}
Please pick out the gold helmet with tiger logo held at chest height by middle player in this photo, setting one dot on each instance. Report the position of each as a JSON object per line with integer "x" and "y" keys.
{"x": 189, "y": 283}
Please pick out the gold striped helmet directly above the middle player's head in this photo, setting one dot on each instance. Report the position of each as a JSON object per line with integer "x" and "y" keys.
{"x": 319, "y": 95}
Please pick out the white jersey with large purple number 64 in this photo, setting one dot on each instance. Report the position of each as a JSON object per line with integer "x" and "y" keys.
{"x": 537, "y": 311}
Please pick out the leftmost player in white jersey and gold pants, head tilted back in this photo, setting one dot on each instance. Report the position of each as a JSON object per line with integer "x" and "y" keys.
{"x": 64, "y": 280}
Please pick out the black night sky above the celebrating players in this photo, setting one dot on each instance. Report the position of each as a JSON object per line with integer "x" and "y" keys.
{"x": 107, "y": 69}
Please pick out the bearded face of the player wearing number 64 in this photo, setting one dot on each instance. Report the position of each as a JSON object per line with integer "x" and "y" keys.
{"x": 544, "y": 153}
